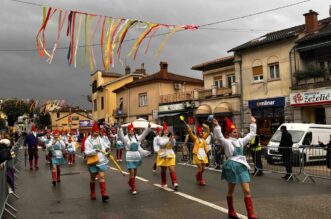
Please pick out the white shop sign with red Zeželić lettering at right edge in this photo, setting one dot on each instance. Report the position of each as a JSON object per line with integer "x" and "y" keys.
{"x": 310, "y": 98}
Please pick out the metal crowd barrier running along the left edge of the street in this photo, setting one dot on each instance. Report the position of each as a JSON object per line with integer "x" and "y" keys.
{"x": 8, "y": 172}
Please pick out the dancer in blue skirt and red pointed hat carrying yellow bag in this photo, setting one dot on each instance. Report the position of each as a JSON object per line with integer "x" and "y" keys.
{"x": 95, "y": 149}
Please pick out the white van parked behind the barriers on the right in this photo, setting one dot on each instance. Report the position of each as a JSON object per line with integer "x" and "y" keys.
{"x": 302, "y": 135}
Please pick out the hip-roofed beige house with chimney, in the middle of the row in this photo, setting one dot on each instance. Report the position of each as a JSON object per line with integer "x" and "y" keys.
{"x": 158, "y": 97}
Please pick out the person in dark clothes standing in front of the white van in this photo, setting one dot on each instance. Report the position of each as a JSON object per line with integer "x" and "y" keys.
{"x": 285, "y": 148}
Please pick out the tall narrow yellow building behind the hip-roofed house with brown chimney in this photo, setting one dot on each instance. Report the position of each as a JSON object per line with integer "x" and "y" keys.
{"x": 103, "y": 98}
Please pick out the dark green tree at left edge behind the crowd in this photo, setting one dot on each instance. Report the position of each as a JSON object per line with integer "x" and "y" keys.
{"x": 13, "y": 109}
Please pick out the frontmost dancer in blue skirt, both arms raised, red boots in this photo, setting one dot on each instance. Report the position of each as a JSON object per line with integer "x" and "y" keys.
{"x": 236, "y": 169}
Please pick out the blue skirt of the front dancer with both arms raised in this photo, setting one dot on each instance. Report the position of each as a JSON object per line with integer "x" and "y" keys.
{"x": 235, "y": 172}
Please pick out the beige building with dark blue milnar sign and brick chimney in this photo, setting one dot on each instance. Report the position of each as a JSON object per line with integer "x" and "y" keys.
{"x": 265, "y": 67}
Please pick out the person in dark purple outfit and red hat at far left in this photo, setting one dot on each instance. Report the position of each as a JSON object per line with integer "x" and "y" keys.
{"x": 31, "y": 140}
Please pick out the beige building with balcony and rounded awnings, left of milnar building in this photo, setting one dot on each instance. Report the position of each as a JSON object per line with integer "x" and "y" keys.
{"x": 220, "y": 96}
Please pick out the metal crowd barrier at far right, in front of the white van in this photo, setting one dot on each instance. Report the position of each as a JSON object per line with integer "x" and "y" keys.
{"x": 316, "y": 162}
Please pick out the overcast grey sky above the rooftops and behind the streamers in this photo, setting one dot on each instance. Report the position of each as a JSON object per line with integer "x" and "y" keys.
{"x": 25, "y": 75}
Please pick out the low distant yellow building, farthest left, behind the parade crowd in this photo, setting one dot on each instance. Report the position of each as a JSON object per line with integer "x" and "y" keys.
{"x": 69, "y": 118}
